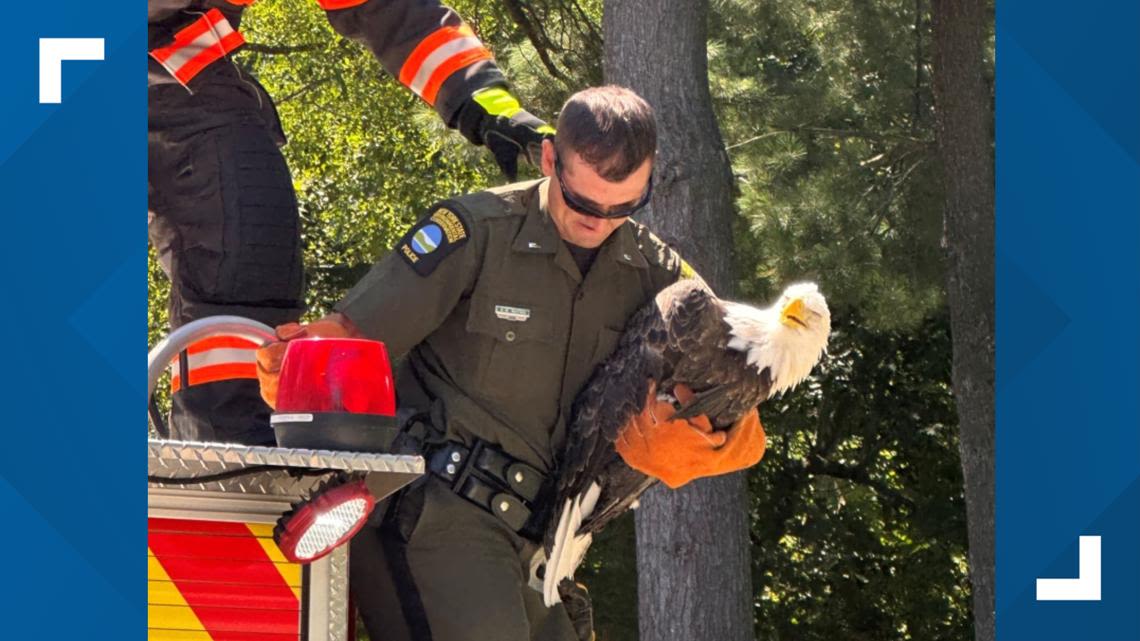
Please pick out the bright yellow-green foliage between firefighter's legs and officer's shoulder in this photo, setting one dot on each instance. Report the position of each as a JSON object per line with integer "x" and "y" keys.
{"x": 368, "y": 158}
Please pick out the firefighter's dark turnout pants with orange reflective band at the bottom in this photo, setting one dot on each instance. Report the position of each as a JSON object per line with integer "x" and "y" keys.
{"x": 224, "y": 222}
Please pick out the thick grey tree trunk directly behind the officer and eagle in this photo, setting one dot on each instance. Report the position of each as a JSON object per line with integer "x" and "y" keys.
{"x": 693, "y": 545}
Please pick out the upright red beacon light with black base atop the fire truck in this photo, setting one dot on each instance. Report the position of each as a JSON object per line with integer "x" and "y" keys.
{"x": 336, "y": 394}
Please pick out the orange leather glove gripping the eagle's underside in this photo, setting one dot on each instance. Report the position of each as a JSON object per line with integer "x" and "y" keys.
{"x": 678, "y": 451}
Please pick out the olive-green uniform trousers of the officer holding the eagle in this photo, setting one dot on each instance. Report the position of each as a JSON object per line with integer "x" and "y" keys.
{"x": 439, "y": 569}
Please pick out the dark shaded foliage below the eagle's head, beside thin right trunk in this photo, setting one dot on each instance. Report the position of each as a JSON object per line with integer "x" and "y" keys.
{"x": 859, "y": 523}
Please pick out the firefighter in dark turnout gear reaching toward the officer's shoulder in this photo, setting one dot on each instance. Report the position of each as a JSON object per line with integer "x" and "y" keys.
{"x": 223, "y": 215}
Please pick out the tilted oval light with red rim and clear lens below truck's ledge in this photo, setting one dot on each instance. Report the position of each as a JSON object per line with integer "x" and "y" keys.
{"x": 319, "y": 525}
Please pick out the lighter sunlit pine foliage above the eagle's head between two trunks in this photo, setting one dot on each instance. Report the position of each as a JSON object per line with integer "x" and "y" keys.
{"x": 828, "y": 120}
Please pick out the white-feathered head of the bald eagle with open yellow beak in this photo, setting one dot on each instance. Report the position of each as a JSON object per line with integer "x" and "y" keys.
{"x": 789, "y": 337}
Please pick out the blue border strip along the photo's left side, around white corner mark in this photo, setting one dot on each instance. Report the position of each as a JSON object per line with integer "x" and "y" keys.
{"x": 74, "y": 206}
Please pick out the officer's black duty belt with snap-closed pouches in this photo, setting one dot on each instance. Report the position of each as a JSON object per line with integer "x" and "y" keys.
{"x": 494, "y": 481}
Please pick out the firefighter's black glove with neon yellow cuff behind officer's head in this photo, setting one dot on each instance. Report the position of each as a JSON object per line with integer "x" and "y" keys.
{"x": 493, "y": 118}
